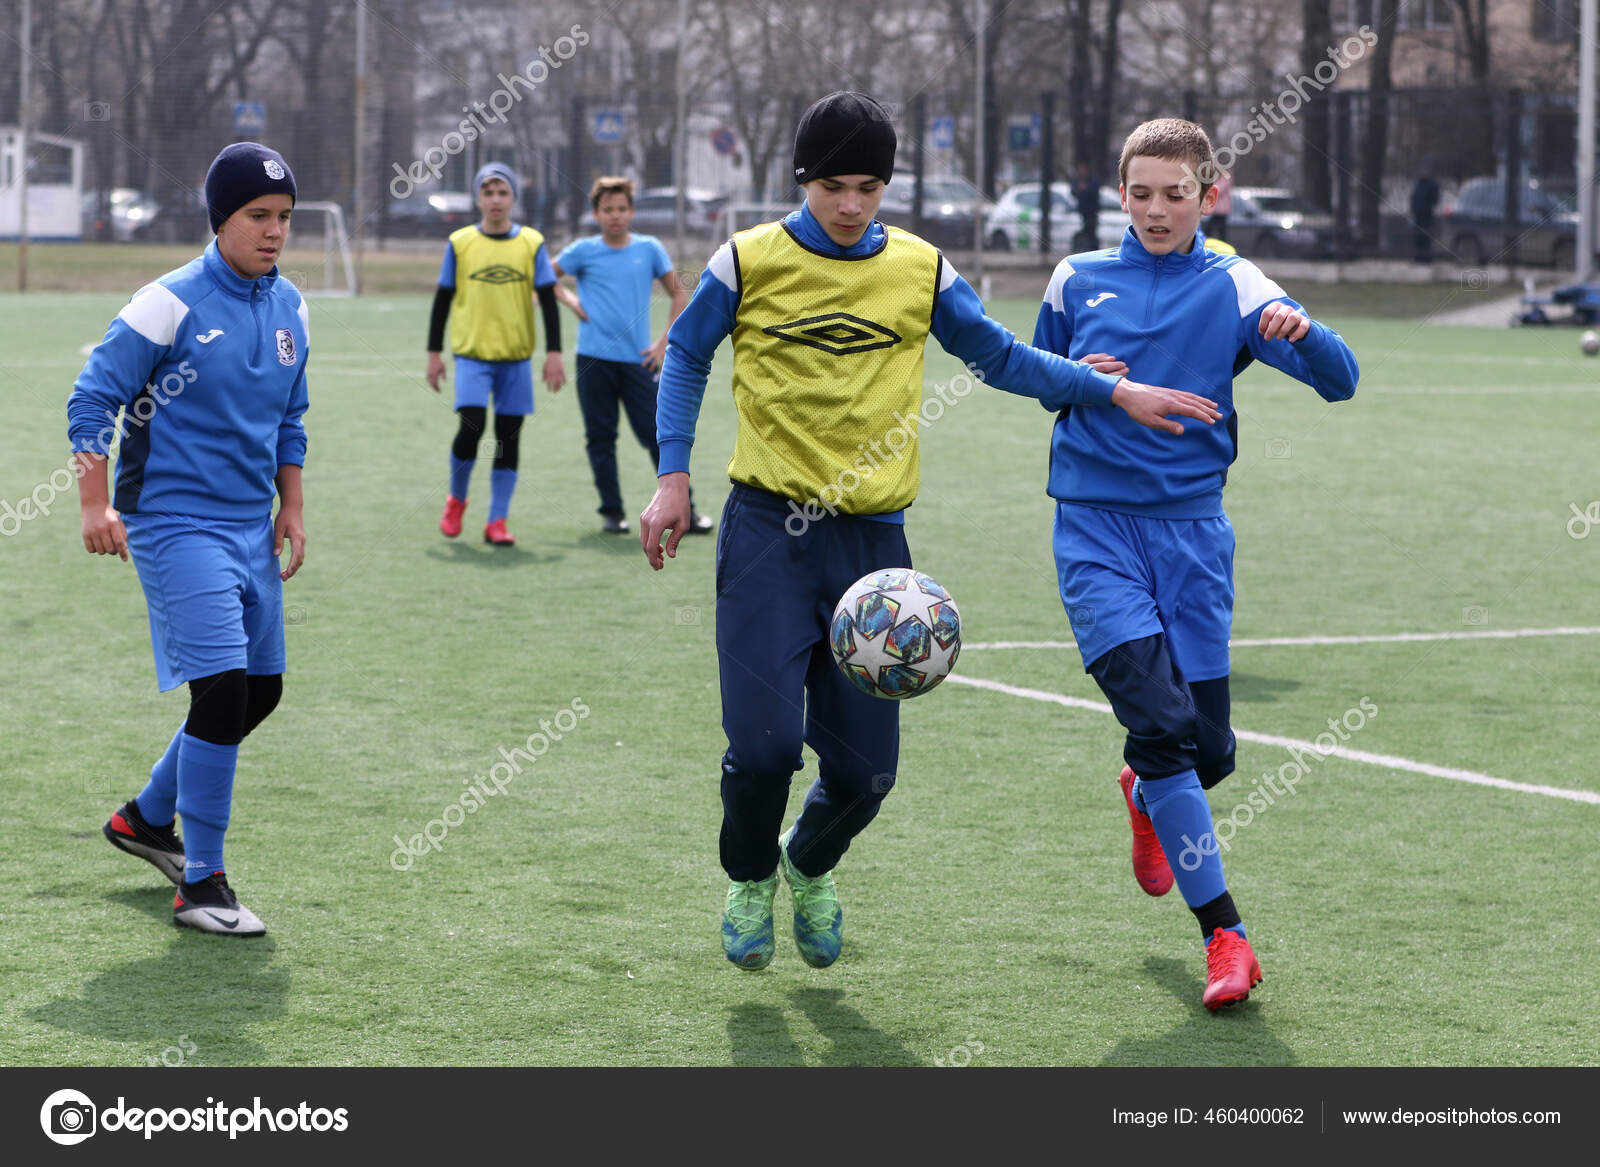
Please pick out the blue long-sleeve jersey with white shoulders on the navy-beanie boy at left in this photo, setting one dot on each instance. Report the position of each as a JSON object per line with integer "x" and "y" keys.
{"x": 209, "y": 374}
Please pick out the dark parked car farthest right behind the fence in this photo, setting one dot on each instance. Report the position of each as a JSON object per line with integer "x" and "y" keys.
{"x": 1476, "y": 231}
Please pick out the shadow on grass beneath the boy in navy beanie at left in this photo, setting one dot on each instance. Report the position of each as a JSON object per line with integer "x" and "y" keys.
{"x": 209, "y": 990}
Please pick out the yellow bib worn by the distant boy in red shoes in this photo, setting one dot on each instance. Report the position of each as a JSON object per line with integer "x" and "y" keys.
{"x": 492, "y": 313}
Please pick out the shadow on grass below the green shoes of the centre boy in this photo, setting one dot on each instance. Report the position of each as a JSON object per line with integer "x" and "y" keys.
{"x": 759, "y": 1035}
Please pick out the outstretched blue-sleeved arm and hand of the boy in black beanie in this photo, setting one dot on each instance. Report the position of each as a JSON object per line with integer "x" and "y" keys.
{"x": 1006, "y": 363}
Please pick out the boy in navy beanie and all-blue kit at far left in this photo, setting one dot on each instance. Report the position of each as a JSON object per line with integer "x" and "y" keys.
{"x": 207, "y": 371}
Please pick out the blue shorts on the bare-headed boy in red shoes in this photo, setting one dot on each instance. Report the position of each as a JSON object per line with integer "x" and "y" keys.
{"x": 1127, "y": 577}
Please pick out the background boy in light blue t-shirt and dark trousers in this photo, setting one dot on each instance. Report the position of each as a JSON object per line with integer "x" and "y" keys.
{"x": 618, "y": 364}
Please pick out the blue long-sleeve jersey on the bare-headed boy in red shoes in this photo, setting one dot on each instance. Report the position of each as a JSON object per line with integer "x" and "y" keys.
{"x": 1180, "y": 321}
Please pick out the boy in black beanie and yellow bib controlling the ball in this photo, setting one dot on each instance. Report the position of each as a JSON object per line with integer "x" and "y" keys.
{"x": 830, "y": 313}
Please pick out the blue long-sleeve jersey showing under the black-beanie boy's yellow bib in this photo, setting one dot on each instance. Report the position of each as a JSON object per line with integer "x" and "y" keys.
{"x": 959, "y": 324}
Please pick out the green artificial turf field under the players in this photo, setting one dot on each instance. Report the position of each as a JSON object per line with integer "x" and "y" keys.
{"x": 991, "y": 916}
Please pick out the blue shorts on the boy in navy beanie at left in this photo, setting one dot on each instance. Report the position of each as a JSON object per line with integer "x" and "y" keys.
{"x": 215, "y": 596}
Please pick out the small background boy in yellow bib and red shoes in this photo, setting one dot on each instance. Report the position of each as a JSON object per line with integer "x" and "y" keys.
{"x": 487, "y": 279}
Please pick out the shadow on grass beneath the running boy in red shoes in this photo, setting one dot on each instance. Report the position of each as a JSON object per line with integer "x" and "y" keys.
{"x": 1234, "y": 1037}
